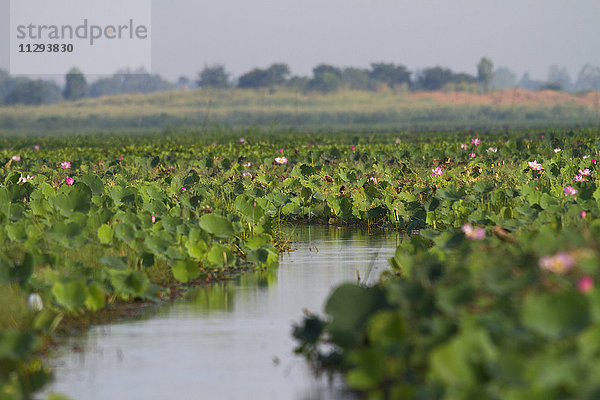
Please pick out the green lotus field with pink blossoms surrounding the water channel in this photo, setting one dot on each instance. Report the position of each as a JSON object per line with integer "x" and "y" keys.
{"x": 491, "y": 293}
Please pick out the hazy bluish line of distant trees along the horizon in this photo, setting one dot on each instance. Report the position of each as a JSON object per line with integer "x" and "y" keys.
{"x": 325, "y": 78}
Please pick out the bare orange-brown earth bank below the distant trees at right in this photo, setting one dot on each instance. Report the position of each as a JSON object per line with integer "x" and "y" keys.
{"x": 514, "y": 97}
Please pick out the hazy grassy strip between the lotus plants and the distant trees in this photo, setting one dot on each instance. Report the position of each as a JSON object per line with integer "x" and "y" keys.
{"x": 283, "y": 109}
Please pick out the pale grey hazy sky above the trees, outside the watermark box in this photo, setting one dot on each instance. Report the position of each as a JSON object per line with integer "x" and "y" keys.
{"x": 525, "y": 35}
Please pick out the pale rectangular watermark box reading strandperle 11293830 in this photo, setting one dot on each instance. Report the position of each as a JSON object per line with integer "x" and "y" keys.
{"x": 52, "y": 36}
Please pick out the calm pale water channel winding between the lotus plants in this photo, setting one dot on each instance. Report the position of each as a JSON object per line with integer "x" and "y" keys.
{"x": 229, "y": 341}
